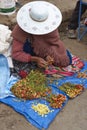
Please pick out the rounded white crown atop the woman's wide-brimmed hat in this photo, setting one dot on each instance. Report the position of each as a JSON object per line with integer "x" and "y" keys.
{"x": 38, "y": 12}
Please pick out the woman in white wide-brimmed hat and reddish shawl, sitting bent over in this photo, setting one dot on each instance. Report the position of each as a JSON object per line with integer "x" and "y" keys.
{"x": 36, "y": 38}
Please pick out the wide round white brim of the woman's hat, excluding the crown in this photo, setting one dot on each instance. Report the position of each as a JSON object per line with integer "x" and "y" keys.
{"x": 31, "y": 26}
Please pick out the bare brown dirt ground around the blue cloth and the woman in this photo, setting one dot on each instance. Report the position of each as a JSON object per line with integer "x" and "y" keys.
{"x": 74, "y": 114}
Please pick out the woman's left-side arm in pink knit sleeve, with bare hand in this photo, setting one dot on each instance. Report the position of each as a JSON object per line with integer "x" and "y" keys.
{"x": 20, "y": 55}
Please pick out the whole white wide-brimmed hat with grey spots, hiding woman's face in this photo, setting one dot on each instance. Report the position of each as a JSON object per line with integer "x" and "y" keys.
{"x": 39, "y": 17}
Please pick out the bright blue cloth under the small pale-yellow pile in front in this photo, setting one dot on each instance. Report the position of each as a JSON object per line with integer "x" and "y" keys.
{"x": 25, "y": 108}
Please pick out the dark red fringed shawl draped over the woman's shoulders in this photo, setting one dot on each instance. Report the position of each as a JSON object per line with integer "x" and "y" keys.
{"x": 44, "y": 45}
